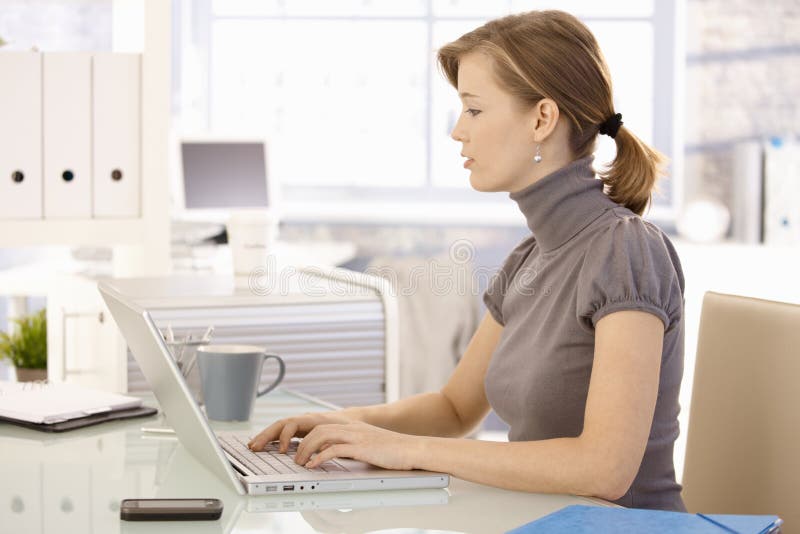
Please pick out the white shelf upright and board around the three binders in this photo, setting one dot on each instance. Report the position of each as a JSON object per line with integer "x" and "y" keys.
{"x": 138, "y": 26}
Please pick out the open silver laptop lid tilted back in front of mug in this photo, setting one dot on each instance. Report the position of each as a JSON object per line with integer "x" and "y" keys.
{"x": 163, "y": 375}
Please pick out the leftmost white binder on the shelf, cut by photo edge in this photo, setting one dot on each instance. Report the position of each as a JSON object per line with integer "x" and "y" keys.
{"x": 21, "y": 135}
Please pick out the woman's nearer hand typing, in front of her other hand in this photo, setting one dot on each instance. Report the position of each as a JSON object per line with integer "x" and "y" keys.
{"x": 359, "y": 441}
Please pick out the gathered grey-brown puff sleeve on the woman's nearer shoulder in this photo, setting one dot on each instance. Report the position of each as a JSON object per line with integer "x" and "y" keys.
{"x": 630, "y": 265}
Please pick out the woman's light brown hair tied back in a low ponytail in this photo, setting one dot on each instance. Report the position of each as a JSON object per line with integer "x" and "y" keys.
{"x": 552, "y": 54}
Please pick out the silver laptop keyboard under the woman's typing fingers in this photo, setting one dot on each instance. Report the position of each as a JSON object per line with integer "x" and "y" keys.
{"x": 270, "y": 461}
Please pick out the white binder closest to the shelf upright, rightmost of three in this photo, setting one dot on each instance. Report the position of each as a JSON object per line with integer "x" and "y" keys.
{"x": 116, "y": 118}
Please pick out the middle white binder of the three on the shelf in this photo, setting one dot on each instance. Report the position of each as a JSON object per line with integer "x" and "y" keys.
{"x": 66, "y": 92}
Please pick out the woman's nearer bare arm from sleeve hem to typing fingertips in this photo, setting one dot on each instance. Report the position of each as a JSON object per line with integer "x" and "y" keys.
{"x": 602, "y": 461}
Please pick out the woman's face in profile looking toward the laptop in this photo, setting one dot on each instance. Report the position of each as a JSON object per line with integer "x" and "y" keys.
{"x": 496, "y": 134}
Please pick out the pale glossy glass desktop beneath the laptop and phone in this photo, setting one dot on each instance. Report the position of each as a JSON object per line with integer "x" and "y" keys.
{"x": 73, "y": 482}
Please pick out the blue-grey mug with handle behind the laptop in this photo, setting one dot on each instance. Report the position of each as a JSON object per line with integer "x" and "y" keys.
{"x": 230, "y": 376}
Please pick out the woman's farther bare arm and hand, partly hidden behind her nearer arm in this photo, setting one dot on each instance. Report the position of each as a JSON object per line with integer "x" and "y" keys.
{"x": 453, "y": 411}
